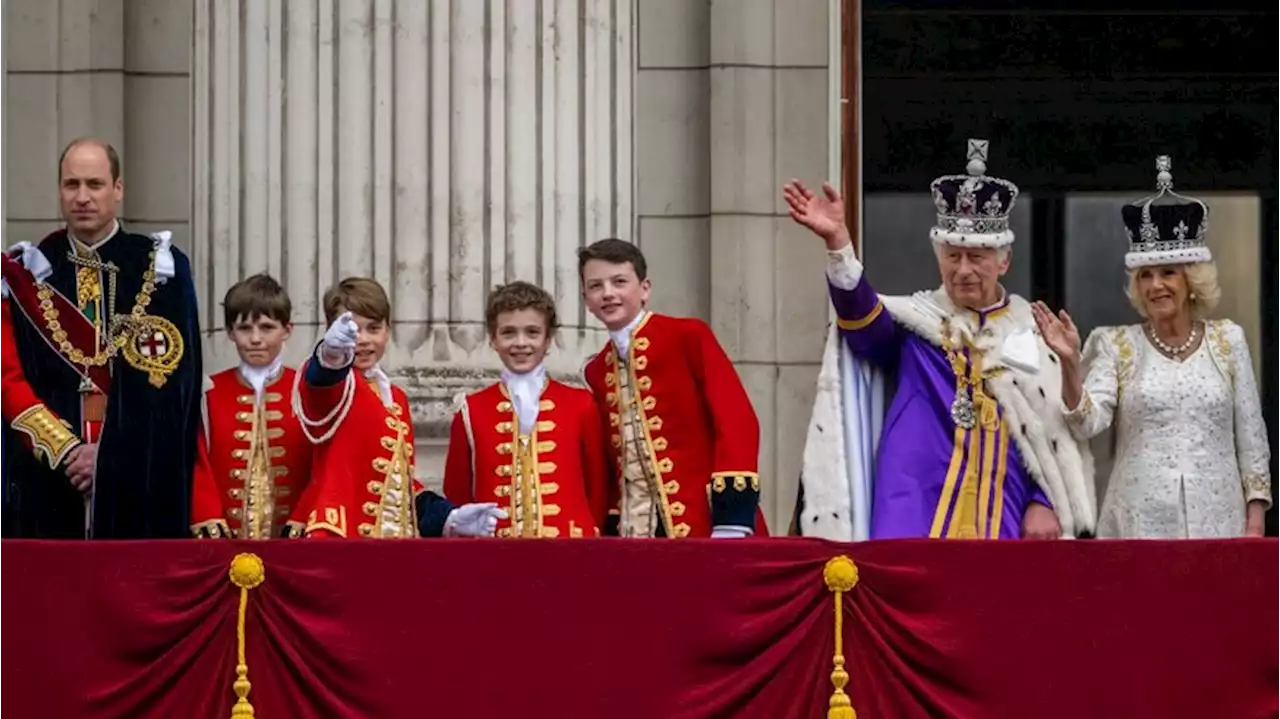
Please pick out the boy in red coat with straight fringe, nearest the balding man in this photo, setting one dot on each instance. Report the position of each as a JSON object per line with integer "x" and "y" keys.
{"x": 254, "y": 460}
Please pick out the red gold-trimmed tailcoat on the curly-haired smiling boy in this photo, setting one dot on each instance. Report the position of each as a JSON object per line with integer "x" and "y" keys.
{"x": 556, "y": 487}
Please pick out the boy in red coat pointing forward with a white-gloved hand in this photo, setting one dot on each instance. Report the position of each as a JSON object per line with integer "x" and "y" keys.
{"x": 363, "y": 484}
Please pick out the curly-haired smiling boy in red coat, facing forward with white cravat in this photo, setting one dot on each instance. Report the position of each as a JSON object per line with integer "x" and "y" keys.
{"x": 529, "y": 442}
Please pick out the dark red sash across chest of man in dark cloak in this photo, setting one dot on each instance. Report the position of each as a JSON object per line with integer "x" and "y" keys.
{"x": 57, "y": 319}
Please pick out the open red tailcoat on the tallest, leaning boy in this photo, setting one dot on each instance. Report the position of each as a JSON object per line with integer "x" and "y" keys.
{"x": 701, "y": 431}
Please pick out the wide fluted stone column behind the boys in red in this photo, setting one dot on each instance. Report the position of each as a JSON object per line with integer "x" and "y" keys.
{"x": 440, "y": 146}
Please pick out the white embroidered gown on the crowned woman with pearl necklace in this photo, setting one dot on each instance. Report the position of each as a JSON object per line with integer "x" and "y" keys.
{"x": 1191, "y": 442}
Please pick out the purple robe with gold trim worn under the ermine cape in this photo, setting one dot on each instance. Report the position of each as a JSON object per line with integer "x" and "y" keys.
{"x": 924, "y": 455}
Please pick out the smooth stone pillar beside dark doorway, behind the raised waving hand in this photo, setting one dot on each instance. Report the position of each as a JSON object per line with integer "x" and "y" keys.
{"x": 769, "y": 304}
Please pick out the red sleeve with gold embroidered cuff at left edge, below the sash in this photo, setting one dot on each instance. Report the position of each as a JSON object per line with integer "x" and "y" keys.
{"x": 43, "y": 432}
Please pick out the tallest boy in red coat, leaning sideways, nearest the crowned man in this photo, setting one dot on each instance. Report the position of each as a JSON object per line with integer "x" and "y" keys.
{"x": 684, "y": 438}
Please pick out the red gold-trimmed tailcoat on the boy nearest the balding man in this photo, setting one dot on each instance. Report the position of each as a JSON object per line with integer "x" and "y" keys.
{"x": 223, "y": 489}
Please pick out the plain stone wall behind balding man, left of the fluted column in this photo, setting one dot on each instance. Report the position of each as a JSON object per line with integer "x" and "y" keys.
{"x": 106, "y": 68}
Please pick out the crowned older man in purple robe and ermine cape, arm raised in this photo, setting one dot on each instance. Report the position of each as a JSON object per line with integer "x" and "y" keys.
{"x": 975, "y": 443}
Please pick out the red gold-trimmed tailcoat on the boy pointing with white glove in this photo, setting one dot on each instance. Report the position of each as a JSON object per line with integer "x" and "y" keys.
{"x": 363, "y": 479}
